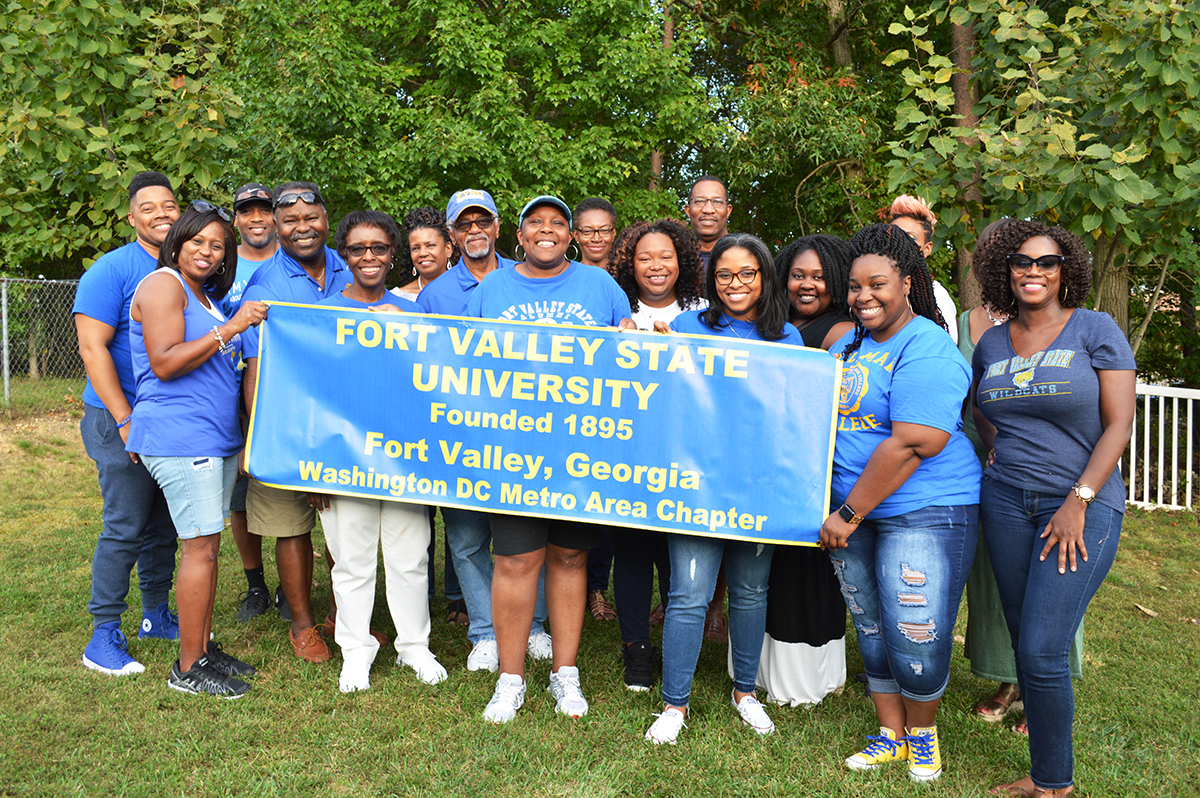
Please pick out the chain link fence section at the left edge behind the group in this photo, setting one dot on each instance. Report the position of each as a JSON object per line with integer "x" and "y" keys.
{"x": 43, "y": 369}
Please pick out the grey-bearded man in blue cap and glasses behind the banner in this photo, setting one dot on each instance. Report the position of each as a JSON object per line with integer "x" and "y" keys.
{"x": 475, "y": 226}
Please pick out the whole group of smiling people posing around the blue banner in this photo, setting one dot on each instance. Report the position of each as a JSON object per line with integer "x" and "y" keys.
{"x": 169, "y": 334}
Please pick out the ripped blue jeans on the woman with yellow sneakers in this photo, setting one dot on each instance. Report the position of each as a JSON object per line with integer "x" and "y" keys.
{"x": 903, "y": 580}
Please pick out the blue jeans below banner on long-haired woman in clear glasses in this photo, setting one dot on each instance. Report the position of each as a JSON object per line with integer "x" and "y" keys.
{"x": 695, "y": 563}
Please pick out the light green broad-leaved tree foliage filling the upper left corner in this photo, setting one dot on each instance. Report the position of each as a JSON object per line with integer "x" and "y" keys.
{"x": 94, "y": 93}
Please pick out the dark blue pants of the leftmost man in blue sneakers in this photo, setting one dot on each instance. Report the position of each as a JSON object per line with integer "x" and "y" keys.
{"x": 137, "y": 526}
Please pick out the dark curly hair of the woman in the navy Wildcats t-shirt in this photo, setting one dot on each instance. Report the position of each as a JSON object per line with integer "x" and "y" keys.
{"x": 991, "y": 266}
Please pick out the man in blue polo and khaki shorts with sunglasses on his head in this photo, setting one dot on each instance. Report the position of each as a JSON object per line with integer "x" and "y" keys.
{"x": 307, "y": 272}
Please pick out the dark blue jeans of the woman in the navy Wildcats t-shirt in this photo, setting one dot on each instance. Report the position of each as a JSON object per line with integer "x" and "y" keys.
{"x": 1043, "y": 609}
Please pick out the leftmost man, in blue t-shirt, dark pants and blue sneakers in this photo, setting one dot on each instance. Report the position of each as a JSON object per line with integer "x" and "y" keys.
{"x": 137, "y": 526}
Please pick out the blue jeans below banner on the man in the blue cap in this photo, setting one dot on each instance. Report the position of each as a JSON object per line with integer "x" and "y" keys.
{"x": 470, "y": 537}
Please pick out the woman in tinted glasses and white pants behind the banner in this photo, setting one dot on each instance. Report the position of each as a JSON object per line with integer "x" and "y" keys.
{"x": 357, "y": 527}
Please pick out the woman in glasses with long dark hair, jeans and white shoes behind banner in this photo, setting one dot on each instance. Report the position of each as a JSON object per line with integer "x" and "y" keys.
{"x": 746, "y": 302}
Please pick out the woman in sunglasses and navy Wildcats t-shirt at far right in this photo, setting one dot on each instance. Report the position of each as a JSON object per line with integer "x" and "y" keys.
{"x": 1055, "y": 393}
